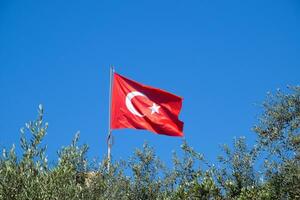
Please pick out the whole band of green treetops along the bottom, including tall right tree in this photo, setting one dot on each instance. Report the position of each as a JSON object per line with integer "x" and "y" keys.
{"x": 144, "y": 176}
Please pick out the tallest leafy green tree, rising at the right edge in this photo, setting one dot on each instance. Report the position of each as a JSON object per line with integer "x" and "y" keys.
{"x": 279, "y": 138}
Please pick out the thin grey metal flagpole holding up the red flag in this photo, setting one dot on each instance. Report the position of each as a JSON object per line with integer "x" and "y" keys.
{"x": 109, "y": 136}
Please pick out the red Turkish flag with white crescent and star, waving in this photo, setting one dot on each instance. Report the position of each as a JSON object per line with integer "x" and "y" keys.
{"x": 138, "y": 106}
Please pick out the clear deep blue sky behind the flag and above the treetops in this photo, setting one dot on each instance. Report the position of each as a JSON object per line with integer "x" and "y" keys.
{"x": 221, "y": 56}
